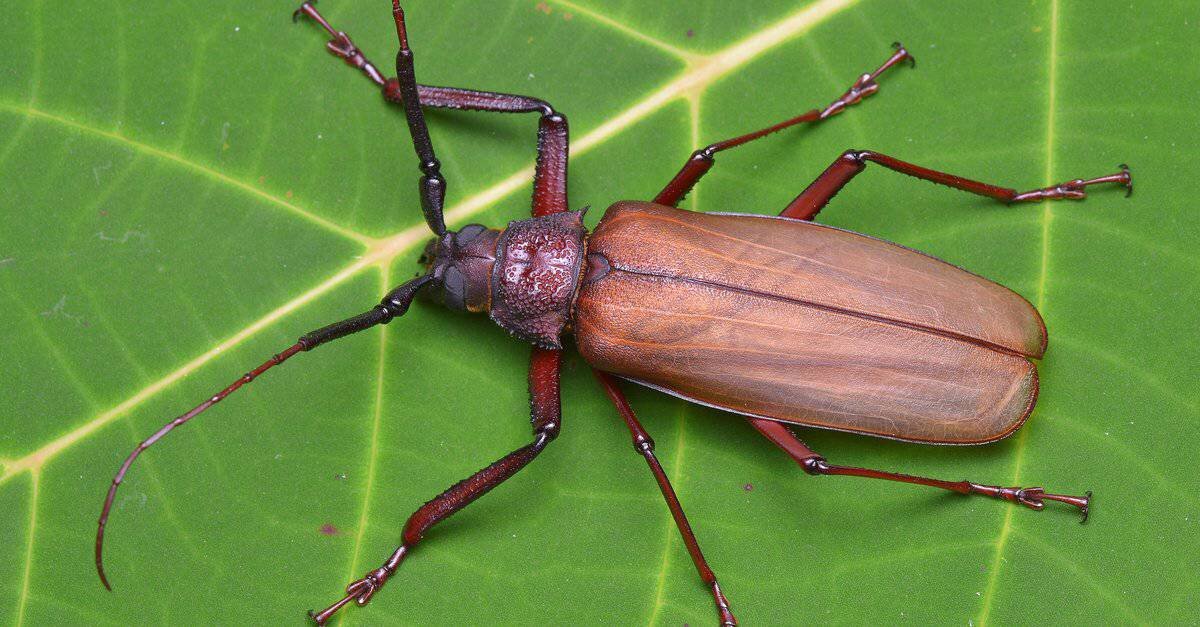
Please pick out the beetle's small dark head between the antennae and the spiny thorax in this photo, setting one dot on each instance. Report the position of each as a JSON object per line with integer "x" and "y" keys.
{"x": 461, "y": 265}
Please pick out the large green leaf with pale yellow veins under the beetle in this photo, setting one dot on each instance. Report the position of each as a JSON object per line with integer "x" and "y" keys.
{"x": 188, "y": 187}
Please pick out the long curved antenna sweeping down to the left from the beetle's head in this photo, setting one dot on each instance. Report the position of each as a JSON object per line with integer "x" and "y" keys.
{"x": 393, "y": 306}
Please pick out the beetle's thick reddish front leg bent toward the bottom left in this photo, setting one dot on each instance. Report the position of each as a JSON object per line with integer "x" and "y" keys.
{"x": 547, "y": 417}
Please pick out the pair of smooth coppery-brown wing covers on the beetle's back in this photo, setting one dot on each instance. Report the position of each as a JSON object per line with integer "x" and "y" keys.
{"x": 808, "y": 325}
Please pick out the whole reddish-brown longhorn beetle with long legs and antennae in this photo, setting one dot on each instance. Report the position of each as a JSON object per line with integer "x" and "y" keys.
{"x": 777, "y": 319}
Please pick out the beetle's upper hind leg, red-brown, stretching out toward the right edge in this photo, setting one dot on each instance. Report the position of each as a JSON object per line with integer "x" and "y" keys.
{"x": 851, "y": 163}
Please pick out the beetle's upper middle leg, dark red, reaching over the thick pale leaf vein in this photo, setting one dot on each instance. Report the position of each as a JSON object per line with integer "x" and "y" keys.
{"x": 701, "y": 162}
